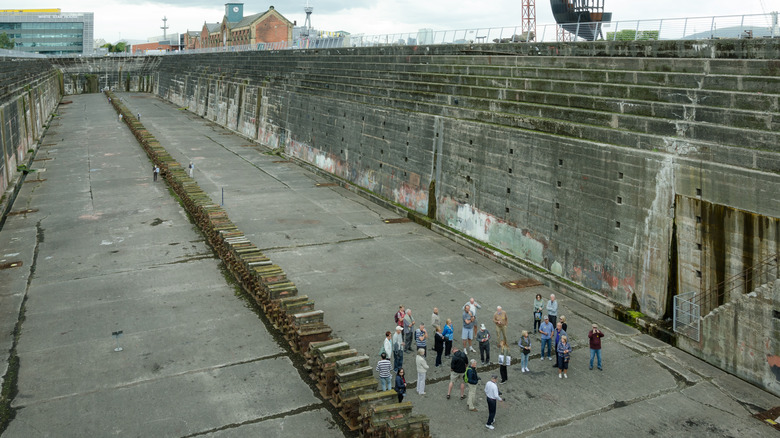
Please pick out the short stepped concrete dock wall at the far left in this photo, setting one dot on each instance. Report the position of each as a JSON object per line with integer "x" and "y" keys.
{"x": 29, "y": 93}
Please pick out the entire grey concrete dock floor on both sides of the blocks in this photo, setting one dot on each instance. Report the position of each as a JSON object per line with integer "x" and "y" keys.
{"x": 106, "y": 249}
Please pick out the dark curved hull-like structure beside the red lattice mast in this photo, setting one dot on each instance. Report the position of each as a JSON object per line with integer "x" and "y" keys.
{"x": 582, "y": 18}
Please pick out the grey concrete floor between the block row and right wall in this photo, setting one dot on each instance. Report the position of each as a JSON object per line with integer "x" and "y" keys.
{"x": 336, "y": 248}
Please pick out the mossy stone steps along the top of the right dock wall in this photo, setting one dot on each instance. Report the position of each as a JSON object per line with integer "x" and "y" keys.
{"x": 727, "y": 113}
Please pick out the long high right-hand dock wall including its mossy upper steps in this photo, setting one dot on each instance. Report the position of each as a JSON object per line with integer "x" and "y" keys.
{"x": 570, "y": 156}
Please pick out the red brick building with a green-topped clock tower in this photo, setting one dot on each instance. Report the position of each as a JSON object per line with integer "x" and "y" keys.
{"x": 236, "y": 30}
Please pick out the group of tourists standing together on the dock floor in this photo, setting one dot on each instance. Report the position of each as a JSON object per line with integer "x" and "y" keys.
{"x": 412, "y": 336}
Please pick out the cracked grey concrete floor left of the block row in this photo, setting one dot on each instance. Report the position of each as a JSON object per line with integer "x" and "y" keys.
{"x": 120, "y": 254}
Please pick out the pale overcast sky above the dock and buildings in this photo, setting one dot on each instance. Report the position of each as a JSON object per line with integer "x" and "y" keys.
{"x": 115, "y": 19}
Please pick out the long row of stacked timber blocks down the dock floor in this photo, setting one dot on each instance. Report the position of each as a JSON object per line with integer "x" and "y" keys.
{"x": 343, "y": 376}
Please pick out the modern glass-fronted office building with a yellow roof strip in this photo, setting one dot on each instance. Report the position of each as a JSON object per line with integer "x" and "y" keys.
{"x": 49, "y": 31}
